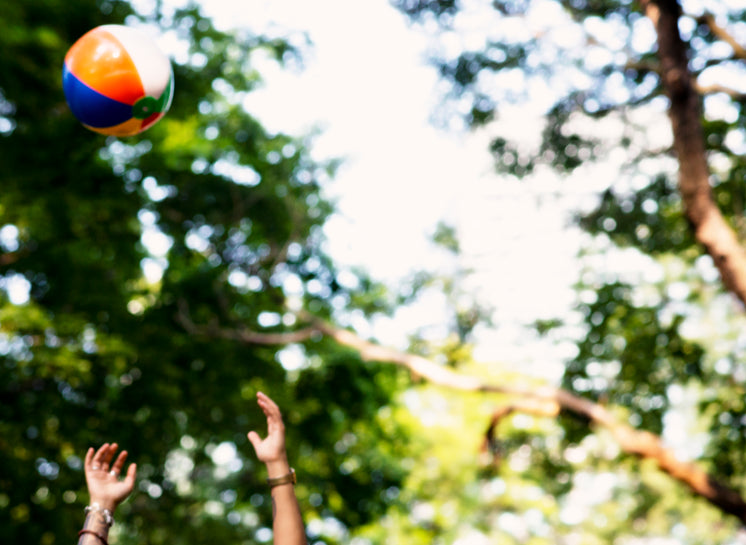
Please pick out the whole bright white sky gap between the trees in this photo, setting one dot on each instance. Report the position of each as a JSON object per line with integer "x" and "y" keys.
{"x": 367, "y": 86}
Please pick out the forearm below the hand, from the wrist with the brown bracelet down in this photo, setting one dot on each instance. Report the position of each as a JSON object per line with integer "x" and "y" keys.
{"x": 287, "y": 522}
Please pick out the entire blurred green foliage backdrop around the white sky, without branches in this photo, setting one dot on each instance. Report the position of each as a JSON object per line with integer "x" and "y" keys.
{"x": 98, "y": 350}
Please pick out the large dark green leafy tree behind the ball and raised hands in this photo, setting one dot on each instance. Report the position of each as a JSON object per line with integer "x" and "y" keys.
{"x": 106, "y": 242}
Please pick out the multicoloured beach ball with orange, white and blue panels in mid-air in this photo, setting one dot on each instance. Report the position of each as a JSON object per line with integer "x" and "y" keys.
{"x": 117, "y": 81}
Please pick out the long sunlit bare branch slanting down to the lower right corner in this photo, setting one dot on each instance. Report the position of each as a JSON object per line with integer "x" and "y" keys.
{"x": 544, "y": 400}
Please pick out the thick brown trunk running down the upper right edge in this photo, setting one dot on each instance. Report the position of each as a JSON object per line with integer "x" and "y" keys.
{"x": 710, "y": 228}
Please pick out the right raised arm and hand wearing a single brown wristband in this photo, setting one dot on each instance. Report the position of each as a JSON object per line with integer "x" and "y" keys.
{"x": 287, "y": 524}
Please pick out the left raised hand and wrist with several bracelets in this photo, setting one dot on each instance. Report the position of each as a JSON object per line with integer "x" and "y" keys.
{"x": 106, "y": 491}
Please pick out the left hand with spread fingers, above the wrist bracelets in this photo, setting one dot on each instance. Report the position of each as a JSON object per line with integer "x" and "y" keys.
{"x": 103, "y": 477}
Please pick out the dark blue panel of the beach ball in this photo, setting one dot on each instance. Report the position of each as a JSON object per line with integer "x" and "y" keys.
{"x": 90, "y": 107}
